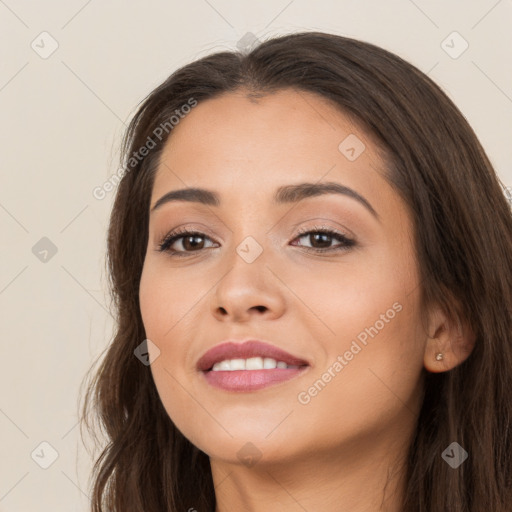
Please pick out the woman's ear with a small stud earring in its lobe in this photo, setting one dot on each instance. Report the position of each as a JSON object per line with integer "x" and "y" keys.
{"x": 450, "y": 337}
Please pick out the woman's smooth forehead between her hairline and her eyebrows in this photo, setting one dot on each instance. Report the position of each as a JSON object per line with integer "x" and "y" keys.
{"x": 253, "y": 145}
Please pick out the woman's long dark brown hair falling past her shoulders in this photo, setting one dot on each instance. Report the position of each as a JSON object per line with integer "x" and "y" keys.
{"x": 463, "y": 242}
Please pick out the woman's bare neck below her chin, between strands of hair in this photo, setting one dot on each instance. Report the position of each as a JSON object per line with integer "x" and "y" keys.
{"x": 362, "y": 477}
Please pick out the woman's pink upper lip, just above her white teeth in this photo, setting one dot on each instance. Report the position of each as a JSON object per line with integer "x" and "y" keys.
{"x": 250, "y": 348}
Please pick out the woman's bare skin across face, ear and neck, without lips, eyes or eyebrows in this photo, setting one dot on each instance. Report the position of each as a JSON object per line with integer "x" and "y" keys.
{"x": 351, "y": 437}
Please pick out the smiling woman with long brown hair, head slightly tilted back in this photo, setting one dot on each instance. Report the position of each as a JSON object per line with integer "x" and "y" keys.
{"x": 311, "y": 260}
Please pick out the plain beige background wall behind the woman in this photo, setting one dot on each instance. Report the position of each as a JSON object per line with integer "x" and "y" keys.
{"x": 62, "y": 118}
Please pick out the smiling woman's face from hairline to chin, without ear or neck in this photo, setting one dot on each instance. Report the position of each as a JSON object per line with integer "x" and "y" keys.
{"x": 350, "y": 310}
